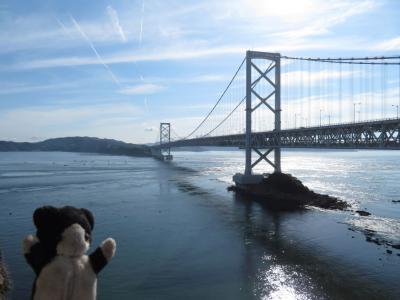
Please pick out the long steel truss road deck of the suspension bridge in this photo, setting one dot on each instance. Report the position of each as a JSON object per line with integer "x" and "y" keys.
{"x": 379, "y": 134}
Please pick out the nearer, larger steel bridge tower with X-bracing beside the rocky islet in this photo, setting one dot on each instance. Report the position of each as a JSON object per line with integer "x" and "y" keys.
{"x": 272, "y": 77}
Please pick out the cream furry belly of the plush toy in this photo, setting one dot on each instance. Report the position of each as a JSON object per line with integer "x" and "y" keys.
{"x": 67, "y": 278}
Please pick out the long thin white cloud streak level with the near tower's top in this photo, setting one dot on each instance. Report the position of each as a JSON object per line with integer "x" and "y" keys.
{"x": 181, "y": 53}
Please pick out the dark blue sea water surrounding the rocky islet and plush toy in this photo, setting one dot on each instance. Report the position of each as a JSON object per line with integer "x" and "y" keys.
{"x": 181, "y": 235}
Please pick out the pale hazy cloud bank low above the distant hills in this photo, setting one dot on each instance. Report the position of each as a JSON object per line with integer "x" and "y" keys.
{"x": 102, "y": 120}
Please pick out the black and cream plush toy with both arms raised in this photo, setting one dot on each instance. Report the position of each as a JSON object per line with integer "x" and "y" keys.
{"x": 57, "y": 254}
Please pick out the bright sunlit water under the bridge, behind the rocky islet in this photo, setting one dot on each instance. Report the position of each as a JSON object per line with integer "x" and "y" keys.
{"x": 367, "y": 180}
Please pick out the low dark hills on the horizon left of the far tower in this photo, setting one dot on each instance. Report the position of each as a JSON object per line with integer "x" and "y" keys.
{"x": 79, "y": 144}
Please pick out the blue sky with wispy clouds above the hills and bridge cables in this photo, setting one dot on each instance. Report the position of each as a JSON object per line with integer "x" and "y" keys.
{"x": 116, "y": 69}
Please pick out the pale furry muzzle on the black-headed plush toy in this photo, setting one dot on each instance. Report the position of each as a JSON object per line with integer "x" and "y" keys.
{"x": 73, "y": 242}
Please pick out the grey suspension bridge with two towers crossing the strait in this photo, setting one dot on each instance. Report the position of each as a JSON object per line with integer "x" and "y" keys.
{"x": 275, "y": 101}
